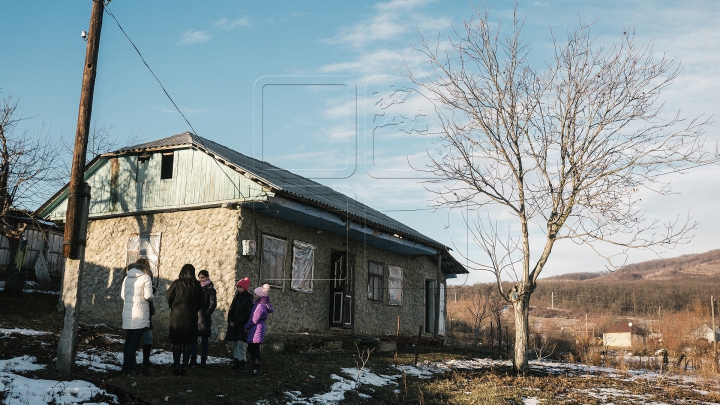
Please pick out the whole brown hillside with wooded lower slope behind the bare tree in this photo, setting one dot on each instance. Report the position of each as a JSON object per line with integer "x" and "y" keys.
{"x": 647, "y": 289}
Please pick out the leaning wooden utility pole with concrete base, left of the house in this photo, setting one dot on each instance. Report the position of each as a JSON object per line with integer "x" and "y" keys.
{"x": 78, "y": 200}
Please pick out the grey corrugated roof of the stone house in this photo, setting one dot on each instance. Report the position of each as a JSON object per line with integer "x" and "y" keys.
{"x": 297, "y": 187}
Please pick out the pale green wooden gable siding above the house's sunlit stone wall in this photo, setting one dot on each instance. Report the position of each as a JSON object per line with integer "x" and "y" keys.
{"x": 123, "y": 184}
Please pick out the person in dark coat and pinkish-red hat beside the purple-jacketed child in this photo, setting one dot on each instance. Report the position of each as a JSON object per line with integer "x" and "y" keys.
{"x": 238, "y": 315}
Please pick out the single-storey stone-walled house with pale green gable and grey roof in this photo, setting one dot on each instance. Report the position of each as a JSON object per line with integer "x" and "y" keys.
{"x": 335, "y": 265}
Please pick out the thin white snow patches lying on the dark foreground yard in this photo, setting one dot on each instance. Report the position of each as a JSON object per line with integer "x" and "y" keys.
{"x": 21, "y": 390}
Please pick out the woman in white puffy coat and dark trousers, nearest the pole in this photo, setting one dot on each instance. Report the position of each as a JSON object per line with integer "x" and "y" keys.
{"x": 136, "y": 293}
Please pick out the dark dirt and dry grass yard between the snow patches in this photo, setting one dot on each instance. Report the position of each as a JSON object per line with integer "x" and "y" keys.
{"x": 311, "y": 372}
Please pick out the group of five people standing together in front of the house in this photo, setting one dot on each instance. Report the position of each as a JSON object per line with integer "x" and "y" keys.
{"x": 192, "y": 302}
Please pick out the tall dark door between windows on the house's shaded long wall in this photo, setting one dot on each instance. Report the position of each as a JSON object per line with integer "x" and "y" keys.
{"x": 342, "y": 290}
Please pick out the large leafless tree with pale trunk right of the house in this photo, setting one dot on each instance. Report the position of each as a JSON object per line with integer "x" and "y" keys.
{"x": 562, "y": 151}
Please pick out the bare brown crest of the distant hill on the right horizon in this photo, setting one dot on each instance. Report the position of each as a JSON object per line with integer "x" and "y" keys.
{"x": 697, "y": 266}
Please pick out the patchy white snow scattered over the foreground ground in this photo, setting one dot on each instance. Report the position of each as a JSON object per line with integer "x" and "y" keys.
{"x": 18, "y": 388}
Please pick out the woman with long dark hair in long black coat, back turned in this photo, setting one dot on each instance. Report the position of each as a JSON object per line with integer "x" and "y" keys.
{"x": 185, "y": 297}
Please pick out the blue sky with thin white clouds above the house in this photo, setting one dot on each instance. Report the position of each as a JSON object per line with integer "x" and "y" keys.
{"x": 316, "y": 87}
